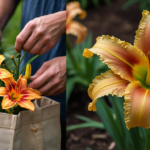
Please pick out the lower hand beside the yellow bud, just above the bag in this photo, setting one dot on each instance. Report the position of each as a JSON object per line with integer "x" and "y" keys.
{"x": 50, "y": 79}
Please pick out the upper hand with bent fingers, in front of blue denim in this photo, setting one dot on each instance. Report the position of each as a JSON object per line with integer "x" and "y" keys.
{"x": 41, "y": 34}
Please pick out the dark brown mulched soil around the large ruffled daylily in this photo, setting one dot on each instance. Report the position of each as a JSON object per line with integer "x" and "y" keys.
{"x": 107, "y": 20}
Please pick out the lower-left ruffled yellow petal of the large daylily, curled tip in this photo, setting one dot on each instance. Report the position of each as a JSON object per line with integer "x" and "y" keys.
{"x": 107, "y": 83}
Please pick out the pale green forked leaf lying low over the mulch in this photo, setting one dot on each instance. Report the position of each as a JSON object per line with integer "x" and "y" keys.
{"x": 88, "y": 123}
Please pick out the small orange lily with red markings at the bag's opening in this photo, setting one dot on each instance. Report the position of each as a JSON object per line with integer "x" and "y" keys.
{"x": 17, "y": 93}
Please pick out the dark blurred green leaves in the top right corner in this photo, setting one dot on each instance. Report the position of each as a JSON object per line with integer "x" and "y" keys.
{"x": 143, "y": 4}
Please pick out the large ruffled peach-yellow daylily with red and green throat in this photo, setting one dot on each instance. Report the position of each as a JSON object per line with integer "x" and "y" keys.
{"x": 129, "y": 74}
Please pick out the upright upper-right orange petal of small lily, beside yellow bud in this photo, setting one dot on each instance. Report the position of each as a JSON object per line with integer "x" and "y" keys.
{"x": 22, "y": 82}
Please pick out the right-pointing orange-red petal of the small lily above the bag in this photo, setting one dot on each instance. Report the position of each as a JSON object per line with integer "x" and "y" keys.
{"x": 30, "y": 94}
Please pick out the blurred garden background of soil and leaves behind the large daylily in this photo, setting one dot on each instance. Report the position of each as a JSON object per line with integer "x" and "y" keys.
{"x": 104, "y": 129}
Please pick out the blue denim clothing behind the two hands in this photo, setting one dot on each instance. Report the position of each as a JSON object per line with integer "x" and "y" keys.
{"x": 36, "y": 8}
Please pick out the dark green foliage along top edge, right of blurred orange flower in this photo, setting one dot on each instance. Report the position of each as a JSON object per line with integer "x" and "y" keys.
{"x": 86, "y": 3}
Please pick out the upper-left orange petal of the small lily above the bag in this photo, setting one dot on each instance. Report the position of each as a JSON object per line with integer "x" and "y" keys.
{"x": 10, "y": 83}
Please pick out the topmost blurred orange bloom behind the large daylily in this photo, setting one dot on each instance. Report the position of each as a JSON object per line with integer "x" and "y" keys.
{"x": 73, "y": 9}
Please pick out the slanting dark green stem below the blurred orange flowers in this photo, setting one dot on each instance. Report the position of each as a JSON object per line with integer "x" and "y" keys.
{"x": 69, "y": 50}
